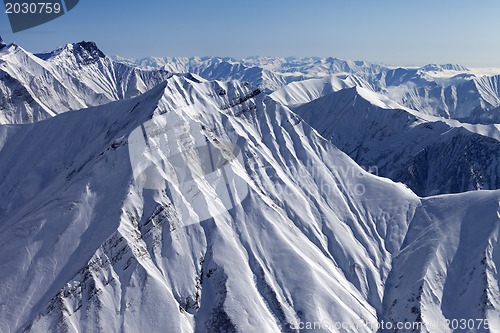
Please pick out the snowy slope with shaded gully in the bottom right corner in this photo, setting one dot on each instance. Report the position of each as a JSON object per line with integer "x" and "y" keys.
{"x": 448, "y": 266}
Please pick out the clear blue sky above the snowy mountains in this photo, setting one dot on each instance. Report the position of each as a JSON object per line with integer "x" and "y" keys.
{"x": 397, "y": 32}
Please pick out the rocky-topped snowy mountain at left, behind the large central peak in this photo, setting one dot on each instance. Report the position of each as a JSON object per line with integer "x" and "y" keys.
{"x": 35, "y": 87}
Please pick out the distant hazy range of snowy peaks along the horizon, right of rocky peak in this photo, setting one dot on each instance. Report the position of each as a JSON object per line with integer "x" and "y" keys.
{"x": 450, "y": 91}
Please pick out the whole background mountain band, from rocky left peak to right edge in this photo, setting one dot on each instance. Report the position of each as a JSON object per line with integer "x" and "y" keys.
{"x": 80, "y": 75}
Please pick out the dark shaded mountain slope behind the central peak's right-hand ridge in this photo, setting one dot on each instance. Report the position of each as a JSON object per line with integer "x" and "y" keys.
{"x": 437, "y": 156}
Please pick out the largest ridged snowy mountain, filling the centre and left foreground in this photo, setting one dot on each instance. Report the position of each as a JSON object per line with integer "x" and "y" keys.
{"x": 100, "y": 249}
